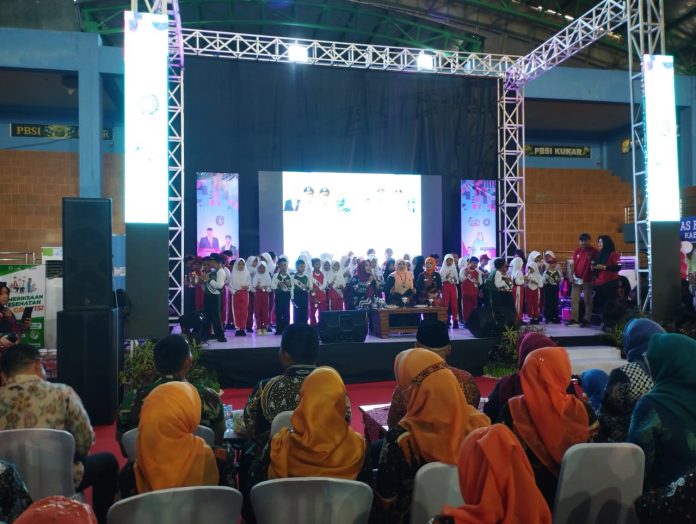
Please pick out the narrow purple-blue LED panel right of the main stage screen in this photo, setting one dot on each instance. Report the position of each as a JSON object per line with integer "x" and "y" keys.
{"x": 478, "y": 215}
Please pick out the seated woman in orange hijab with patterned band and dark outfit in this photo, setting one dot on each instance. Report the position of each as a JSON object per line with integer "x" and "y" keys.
{"x": 437, "y": 420}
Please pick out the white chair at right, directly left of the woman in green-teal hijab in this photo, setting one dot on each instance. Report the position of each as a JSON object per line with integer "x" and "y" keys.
{"x": 599, "y": 483}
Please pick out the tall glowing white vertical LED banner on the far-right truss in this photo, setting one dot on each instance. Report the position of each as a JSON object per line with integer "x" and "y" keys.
{"x": 661, "y": 135}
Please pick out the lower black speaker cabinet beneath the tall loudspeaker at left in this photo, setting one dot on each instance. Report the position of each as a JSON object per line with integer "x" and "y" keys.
{"x": 88, "y": 347}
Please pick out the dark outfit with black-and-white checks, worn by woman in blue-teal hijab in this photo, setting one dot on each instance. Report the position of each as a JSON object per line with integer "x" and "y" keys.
{"x": 625, "y": 386}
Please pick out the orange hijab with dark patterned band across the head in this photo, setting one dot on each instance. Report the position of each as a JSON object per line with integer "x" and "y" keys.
{"x": 438, "y": 415}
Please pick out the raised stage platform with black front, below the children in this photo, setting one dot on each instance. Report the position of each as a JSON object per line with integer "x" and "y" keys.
{"x": 242, "y": 361}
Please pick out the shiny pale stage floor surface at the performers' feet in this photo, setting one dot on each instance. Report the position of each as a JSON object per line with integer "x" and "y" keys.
{"x": 252, "y": 340}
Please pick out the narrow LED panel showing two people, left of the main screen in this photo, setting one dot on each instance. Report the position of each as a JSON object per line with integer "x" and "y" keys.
{"x": 217, "y": 205}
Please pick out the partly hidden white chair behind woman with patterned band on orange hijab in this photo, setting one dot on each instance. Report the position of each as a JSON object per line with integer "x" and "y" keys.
{"x": 435, "y": 485}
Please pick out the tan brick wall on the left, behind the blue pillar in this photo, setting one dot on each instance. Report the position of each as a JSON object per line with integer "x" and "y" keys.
{"x": 33, "y": 184}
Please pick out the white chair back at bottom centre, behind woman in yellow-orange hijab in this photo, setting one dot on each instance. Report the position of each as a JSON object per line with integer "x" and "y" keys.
{"x": 311, "y": 500}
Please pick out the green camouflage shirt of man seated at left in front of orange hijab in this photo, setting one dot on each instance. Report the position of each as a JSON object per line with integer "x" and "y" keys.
{"x": 212, "y": 415}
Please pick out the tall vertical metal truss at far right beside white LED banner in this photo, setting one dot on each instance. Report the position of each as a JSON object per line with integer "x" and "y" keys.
{"x": 646, "y": 36}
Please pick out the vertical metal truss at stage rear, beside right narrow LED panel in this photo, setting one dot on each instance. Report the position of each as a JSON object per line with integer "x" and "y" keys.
{"x": 511, "y": 186}
